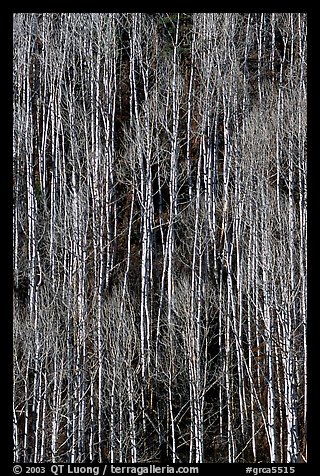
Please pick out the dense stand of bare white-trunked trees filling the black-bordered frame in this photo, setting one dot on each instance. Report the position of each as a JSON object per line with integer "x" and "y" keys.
{"x": 159, "y": 237}
